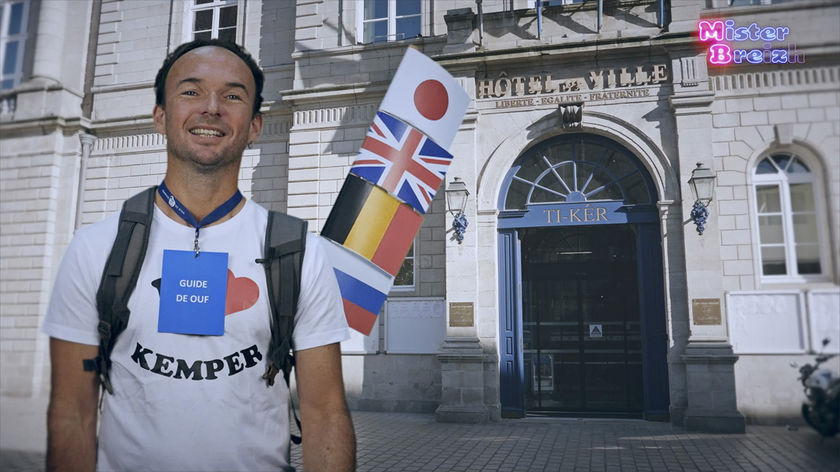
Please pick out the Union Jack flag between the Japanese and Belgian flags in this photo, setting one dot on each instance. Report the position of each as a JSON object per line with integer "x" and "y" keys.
{"x": 402, "y": 160}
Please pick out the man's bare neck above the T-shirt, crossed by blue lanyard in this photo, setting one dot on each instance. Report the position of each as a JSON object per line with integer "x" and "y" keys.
{"x": 199, "y": 193}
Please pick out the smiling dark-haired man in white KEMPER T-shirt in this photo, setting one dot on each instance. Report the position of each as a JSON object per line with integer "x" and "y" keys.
{"x": 197, "y": 402}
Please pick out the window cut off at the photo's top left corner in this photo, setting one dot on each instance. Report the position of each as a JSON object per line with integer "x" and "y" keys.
{"x": 13, "y": 31}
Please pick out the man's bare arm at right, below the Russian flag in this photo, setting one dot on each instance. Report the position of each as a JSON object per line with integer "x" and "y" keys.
{"x": 329, "y": 443}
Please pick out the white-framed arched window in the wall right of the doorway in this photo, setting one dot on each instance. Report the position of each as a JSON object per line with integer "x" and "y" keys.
{"x": 789, "y": 218}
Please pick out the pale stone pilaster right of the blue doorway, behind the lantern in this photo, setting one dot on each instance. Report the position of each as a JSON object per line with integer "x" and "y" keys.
{"x": 708, "y": 358}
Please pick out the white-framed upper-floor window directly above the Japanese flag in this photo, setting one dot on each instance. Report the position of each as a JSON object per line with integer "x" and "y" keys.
{"x": 389, "y": 20}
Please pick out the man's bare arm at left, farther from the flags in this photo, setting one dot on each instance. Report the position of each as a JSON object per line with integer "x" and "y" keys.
{"x": 71, "y": 417}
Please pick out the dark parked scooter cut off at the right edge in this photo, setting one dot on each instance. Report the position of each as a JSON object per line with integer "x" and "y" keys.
{"x": 822, "y": 389}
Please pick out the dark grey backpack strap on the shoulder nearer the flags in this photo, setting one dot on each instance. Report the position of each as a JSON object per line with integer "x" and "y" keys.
{"x": 285, "y": 243}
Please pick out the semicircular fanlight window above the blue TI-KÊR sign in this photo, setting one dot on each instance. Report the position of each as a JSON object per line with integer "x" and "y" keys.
{"x": 577, "y": 168}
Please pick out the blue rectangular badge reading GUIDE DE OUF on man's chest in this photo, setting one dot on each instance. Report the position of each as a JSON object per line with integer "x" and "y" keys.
{"x": 192, "y": 293}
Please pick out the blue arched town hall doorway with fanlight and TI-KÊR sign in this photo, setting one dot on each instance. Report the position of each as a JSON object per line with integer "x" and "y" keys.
{"x": 582, "y": 319}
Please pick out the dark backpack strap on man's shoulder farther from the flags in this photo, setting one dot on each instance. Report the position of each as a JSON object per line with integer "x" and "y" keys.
{"x": 120, "y": 277}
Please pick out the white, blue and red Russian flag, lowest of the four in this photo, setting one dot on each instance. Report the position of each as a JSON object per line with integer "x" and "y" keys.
{"x": 364, "y": 286}
